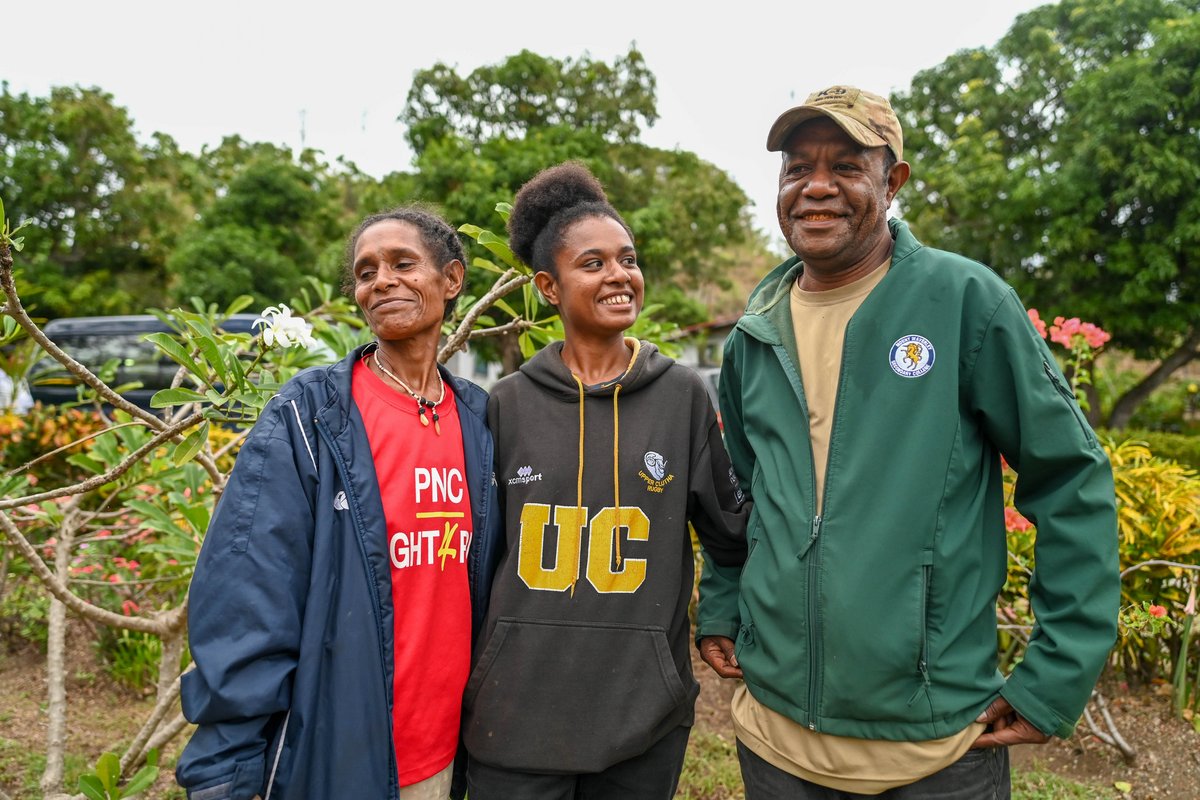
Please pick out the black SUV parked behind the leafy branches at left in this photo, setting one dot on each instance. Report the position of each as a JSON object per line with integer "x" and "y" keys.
{"x": 95, "y": 341}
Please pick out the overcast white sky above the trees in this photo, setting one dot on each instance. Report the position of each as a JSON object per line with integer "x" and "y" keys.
{"x": 340, "y": 71}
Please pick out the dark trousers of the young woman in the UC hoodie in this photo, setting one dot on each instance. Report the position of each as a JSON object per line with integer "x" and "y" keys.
{"x": 653, "y": 775}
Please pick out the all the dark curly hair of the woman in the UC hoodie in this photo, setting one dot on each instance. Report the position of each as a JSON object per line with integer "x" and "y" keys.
{"x": 548, "y": 206}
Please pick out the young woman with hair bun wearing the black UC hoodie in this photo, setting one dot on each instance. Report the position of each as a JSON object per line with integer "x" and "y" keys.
{"x": 607, "y": 450}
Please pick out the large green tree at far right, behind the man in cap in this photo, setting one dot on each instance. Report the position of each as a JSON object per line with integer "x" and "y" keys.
{"x": 1066, "y": 158}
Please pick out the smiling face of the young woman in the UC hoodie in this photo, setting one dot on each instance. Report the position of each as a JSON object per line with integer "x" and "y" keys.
{"x": 599, "y": 287}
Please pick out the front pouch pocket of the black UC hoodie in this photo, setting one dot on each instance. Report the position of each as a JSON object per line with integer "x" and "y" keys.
{"x": 551, "y": 696}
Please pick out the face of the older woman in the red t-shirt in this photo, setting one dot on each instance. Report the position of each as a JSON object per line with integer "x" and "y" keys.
{"x": 399, "y": 285}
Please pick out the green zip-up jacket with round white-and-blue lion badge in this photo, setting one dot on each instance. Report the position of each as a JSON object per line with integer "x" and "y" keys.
{"x": 878, "y": 619}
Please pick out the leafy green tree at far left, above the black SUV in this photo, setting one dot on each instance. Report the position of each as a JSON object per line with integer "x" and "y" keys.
{"x": 106, "y": 209}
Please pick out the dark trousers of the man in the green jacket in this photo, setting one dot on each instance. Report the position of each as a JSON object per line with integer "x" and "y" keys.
{"x": 980, "y": 775}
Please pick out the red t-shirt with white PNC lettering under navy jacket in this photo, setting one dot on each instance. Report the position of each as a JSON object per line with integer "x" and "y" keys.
{"x": 428, "y": 507}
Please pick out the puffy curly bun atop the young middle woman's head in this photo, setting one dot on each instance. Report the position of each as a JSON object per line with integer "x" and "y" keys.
{"x": 545, "y": 197}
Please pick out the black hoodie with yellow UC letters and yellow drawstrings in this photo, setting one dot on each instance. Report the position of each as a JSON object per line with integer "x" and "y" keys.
{"x": 585, "y": 659}
